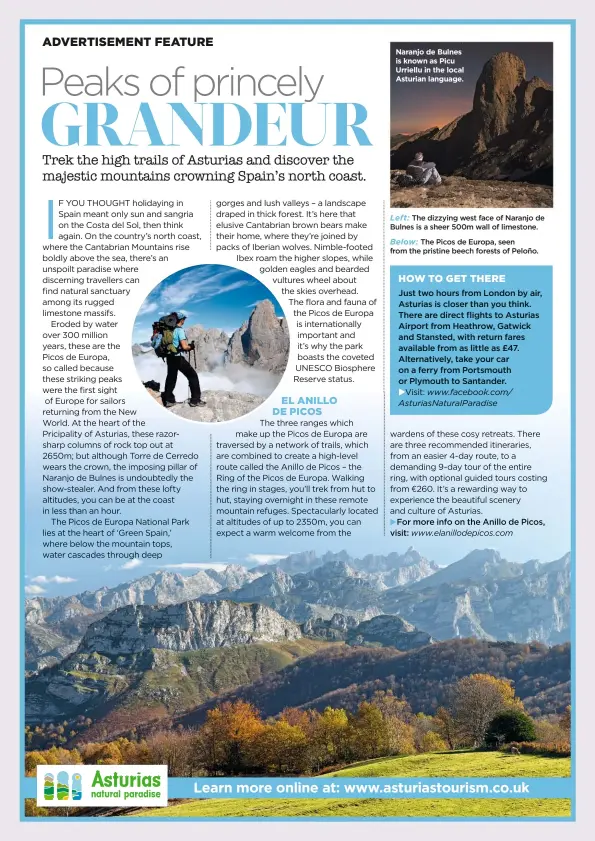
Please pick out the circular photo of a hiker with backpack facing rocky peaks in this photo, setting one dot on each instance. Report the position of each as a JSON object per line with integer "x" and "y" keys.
{"x": 211, "y": 343}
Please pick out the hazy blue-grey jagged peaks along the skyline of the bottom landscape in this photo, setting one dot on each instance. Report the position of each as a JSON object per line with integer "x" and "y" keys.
{"x": 482, "y": 595}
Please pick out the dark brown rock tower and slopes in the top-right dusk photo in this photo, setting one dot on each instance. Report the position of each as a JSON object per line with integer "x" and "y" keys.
{"x": 507, "y": 135}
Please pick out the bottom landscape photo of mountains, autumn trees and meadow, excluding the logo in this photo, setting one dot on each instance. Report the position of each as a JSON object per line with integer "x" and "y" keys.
{"x": 322, "y": 667}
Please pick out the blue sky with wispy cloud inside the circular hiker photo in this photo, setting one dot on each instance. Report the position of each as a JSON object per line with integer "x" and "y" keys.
{"x": 214, "y": 296}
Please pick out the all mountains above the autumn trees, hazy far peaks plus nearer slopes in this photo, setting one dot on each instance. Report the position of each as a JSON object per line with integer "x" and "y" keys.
{"x": 165, "y": 647}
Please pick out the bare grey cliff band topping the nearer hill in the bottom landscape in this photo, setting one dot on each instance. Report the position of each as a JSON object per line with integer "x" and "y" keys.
{"x": 186, "y": 627}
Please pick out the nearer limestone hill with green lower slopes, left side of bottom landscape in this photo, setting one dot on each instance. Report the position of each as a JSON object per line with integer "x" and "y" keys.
{"x": 141, "y": 661}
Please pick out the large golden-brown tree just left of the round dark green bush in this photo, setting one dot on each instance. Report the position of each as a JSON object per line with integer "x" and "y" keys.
{"x": 476, "y": 700}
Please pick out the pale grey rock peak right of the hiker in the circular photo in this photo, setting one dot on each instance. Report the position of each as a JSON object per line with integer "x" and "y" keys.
{"x": 262, "y": 341}
